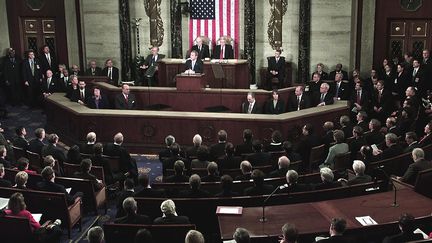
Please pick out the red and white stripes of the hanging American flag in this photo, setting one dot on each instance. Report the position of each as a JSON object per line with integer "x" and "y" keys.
{"x": 226, "y": 23}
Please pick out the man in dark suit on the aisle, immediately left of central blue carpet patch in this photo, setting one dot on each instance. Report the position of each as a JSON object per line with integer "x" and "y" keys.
{"x": 127, "y": 164}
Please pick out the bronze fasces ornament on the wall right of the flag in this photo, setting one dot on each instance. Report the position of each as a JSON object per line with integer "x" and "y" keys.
{"x": 274, "y": 27}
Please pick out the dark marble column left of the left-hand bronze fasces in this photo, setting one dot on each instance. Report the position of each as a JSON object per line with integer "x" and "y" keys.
{"x": 125, "y": 40}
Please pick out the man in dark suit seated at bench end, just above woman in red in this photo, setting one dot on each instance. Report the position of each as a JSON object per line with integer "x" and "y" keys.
{"x": 49, "y": 185}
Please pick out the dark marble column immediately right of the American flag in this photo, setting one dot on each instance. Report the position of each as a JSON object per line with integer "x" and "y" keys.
{"x": 249, "y": 40}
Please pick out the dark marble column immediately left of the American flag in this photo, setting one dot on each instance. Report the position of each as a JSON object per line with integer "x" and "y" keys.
{"x": 176, "y": 30}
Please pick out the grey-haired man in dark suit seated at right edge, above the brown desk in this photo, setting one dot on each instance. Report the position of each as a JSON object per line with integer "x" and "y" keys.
{"x": 419, "y": 164}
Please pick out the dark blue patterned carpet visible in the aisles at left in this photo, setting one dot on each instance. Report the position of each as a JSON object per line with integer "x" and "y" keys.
{"x": 32, "y": 119}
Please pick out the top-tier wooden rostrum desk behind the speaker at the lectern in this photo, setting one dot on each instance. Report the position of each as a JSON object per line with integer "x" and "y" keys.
{"x": 236, "y": 73}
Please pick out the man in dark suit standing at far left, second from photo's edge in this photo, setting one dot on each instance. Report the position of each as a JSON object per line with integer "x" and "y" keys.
{"x": 32, "y": 76}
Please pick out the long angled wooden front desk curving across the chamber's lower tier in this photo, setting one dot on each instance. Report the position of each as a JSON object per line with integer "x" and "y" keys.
{"x": 146, "y": 130}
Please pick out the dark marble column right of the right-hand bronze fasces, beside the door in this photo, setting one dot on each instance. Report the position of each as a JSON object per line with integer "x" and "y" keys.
{"x": 304, "y": 41}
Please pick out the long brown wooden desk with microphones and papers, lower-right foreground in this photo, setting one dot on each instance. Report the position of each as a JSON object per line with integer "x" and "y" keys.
{"x": 313, "y": 219}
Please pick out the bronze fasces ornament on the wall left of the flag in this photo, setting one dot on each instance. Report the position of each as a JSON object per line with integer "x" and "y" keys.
{"x": 153, "y": 11}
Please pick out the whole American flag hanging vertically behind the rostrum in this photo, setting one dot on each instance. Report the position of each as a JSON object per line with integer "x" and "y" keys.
{"x": 215, "y": 18}
